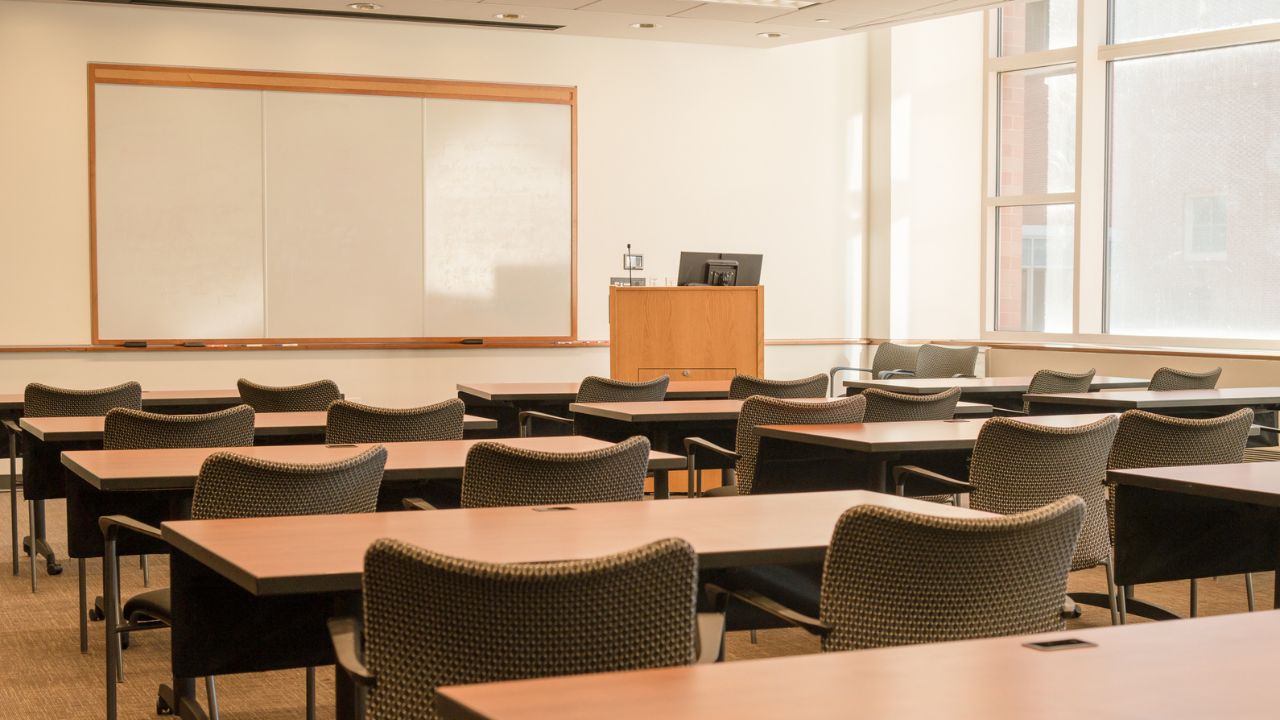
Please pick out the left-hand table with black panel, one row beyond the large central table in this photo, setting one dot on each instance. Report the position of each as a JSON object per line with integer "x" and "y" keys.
{"x": 156, "y": 486}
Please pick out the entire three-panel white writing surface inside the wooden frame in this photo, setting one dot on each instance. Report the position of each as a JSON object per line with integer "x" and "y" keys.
{"x": 267, "y": 215}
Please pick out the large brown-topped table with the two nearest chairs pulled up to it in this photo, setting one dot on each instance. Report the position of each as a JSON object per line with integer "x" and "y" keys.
{"x": 254, "y": 595}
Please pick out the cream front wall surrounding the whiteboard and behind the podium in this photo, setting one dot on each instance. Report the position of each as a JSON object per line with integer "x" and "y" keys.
{"x": 680, "y": 147}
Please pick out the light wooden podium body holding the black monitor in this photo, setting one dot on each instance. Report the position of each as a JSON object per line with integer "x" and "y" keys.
{"x": 691, "y": 334}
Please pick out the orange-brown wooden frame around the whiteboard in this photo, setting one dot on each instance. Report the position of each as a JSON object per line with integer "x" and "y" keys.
{"x": 342, "y": 85}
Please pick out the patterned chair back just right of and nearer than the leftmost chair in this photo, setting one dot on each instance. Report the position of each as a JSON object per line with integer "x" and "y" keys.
{"x": 138, "y": 430}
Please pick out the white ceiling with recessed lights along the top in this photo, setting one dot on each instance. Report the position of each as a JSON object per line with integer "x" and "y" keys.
{"x": 725, "y": 22}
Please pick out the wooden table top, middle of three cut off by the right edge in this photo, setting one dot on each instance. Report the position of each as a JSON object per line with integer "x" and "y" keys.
{"x": 1258, "y": 484}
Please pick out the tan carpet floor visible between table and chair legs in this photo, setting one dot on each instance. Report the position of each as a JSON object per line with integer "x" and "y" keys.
{"x": 43, "y": 673}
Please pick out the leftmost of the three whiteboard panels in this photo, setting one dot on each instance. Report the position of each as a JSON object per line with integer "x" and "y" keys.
{"x": 180, "y": 213}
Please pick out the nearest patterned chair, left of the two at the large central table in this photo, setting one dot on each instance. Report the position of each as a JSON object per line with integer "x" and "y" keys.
{"x": 432, "y": 621}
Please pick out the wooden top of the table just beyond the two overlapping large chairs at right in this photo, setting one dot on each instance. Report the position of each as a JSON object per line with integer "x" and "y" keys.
{"x": 902, "y": 438}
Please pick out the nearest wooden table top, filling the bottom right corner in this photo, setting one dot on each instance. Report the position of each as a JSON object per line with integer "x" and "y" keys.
{"x": 1205, "y": 668}
